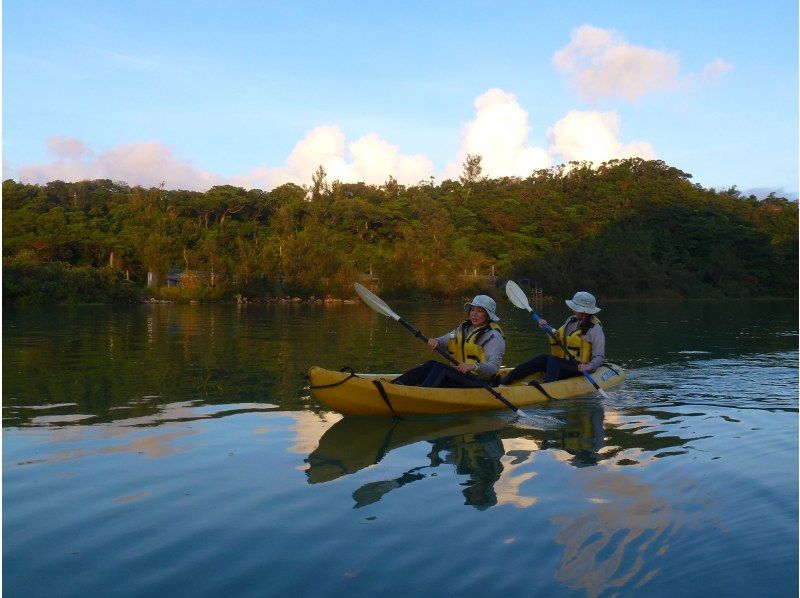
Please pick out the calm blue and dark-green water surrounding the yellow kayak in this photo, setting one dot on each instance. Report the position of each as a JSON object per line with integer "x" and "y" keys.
{"x": 175, "y": 449}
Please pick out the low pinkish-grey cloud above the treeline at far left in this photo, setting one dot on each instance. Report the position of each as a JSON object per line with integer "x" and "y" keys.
{"x": 147, "y": 164}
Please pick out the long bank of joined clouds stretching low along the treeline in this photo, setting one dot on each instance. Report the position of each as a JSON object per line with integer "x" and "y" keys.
{"x": 498, "y": 133}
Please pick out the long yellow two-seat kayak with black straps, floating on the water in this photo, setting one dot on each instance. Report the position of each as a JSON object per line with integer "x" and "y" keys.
{"x": 350, "y": 393}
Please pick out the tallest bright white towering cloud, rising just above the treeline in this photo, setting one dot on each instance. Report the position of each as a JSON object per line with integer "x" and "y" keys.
{"x": 499, "y": 134}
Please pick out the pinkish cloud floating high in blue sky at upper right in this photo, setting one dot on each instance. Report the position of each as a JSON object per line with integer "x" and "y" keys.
{"x": 600, "y": 64}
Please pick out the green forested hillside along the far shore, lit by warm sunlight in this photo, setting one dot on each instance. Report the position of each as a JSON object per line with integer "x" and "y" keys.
{"x": 626, "y": 228}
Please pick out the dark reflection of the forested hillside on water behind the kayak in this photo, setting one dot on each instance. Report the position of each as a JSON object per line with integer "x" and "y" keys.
{"x": 101, "y": 358}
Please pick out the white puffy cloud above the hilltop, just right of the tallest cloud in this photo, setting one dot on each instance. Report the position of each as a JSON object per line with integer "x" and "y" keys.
{"x": 593, "y": 136}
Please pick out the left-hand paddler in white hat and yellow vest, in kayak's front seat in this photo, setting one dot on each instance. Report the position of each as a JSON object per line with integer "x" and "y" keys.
{"x": 477, "y": 344}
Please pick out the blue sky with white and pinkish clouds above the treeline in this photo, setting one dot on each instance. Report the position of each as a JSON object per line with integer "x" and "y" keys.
{"x": 199, "y": 93}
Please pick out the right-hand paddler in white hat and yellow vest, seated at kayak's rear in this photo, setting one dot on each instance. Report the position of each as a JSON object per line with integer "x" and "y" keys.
{"x": 584, "y": 338}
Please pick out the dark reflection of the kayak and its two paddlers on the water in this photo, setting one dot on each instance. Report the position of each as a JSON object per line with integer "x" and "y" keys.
{"x": 479, "y": 447}
